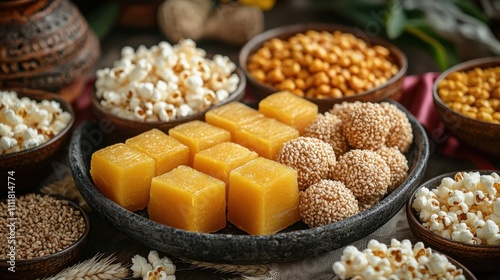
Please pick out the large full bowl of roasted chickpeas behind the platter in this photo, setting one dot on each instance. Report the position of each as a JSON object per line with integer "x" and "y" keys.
{"x": 324, "y": 63}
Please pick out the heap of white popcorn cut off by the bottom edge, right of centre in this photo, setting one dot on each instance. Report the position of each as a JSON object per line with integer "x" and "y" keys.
{"x": 399, "y": 260}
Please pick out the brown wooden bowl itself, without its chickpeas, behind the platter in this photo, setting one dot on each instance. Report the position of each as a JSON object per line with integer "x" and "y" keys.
{"x": 391, "y": 89}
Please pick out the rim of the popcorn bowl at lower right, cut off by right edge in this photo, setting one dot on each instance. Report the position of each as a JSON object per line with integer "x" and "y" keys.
{"x": 410, "y": 212}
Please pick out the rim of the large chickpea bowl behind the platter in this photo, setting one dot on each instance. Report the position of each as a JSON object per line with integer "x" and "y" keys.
{"x": 255, "y": 42}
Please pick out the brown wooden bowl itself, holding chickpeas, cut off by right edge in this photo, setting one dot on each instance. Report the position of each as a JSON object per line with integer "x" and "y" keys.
{"x": 480, "y": 135}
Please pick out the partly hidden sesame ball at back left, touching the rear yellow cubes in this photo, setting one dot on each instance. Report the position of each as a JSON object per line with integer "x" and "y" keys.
{"x": 328, "y": 127}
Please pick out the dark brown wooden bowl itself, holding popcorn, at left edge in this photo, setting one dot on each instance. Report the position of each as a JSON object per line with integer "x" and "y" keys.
{"x": 32, "y": 165}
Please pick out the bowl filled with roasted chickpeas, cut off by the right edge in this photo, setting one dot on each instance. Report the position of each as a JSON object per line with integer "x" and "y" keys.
{"x": 467, "y": 99}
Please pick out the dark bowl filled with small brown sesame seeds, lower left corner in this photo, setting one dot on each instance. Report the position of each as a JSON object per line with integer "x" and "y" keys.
{"x": 44, "y": 235}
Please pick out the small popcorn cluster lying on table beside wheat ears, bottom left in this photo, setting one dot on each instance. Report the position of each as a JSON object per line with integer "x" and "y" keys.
{"x": 154, "y": 268}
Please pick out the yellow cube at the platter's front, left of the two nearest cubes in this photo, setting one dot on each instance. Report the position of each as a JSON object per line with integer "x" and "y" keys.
{"x": 188, "y": 199}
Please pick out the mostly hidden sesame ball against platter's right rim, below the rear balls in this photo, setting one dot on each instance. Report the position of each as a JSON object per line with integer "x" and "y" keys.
{"x": 398, "y": 164}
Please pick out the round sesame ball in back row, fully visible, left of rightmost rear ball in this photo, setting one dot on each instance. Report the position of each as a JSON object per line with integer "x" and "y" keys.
{"x": 367, "y": 126}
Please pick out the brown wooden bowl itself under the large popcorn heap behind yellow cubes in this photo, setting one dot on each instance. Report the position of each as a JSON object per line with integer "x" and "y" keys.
{"x": 119, "y": 129}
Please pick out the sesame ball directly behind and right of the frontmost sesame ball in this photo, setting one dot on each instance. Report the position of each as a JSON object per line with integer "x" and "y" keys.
{"x": 364, "y": 172}
